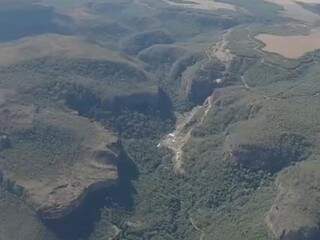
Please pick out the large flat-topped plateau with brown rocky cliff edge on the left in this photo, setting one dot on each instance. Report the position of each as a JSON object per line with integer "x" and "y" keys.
{"x": 68, "y": 155}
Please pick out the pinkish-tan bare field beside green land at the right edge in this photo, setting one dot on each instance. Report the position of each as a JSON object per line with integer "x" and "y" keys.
{"x": 291, "y": 47}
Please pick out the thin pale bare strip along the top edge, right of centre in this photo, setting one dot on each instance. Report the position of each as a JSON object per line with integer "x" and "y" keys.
{"x": 201, "y": 4}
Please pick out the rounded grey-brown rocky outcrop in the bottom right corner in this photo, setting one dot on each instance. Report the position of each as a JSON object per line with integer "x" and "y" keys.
{"x": 294, "y": 214}
